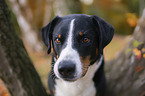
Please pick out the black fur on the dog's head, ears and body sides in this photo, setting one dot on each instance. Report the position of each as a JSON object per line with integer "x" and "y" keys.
{"x": 95, "y": 28}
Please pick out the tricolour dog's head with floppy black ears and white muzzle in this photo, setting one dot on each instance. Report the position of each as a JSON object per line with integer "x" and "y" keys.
{"x": 78, "y": 40}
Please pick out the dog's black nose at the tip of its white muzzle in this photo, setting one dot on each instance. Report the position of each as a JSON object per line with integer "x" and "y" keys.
{"x": 66, "y": 69}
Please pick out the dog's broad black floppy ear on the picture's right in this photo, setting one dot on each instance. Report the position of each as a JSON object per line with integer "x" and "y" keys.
{"x": 105, "y": 32}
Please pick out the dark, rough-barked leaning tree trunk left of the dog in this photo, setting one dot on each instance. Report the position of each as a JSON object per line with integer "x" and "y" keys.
{"x": 16, "y": 69}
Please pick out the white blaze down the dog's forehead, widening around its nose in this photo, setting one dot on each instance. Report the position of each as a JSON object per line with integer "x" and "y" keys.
{"x": 68, "y": 53}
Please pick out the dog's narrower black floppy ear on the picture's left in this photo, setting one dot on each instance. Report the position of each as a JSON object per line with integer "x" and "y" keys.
{"x": 46, "y": 33}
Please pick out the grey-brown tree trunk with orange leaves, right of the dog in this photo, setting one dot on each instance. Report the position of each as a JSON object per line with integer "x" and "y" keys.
{"x": 126, "y": 74}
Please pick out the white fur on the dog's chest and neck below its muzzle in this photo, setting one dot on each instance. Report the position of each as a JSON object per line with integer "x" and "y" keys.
{"x": 81, "y": 87}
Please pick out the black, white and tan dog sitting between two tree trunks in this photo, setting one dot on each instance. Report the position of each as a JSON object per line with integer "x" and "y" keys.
{"x": 78, "y": 41}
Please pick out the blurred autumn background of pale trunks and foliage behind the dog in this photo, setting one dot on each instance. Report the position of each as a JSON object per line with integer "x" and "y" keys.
{"x": 29, "y": 16}
